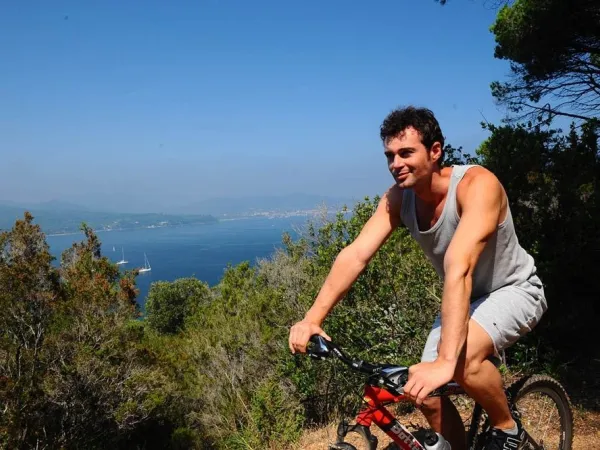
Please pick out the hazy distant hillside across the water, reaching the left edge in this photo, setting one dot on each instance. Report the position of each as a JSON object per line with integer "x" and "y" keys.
{"x": 56, "y": 218}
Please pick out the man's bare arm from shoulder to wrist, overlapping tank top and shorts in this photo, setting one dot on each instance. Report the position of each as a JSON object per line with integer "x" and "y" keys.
{"x": 481, "y": 202}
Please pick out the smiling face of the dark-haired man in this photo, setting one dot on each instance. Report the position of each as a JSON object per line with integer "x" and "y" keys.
{"x": 409, "y": 161}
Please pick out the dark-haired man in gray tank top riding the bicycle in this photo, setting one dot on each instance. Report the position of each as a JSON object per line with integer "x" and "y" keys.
{"x": 492, "y": 296}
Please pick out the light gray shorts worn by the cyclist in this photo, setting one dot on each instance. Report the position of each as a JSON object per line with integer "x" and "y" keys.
{"x": 505, "y": 314}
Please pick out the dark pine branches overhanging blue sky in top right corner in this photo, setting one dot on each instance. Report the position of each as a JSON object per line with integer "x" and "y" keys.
{"x": 553, "y": 47}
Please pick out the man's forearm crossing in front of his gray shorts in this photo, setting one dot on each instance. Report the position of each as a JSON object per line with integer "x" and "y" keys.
{"x": 455, "y": 315}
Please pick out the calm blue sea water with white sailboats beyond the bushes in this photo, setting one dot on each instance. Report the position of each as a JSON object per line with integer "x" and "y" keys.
{"x": 202, "y": 251}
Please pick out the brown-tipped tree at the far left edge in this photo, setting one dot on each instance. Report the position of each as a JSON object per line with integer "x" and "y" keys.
{"x": 29, "y": 292}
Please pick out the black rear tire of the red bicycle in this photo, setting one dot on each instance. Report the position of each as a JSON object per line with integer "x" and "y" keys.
{"x": 549, "y": 386}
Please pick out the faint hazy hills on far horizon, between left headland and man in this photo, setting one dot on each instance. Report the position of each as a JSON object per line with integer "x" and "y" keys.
{"x": 282, "y": 203}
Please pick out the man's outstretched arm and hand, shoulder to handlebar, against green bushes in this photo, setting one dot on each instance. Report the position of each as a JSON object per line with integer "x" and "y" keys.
{"x": 348, "y": 265}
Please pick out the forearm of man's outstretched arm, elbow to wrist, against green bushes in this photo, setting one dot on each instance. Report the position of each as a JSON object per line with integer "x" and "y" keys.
{"x": 345, "y": 270}
